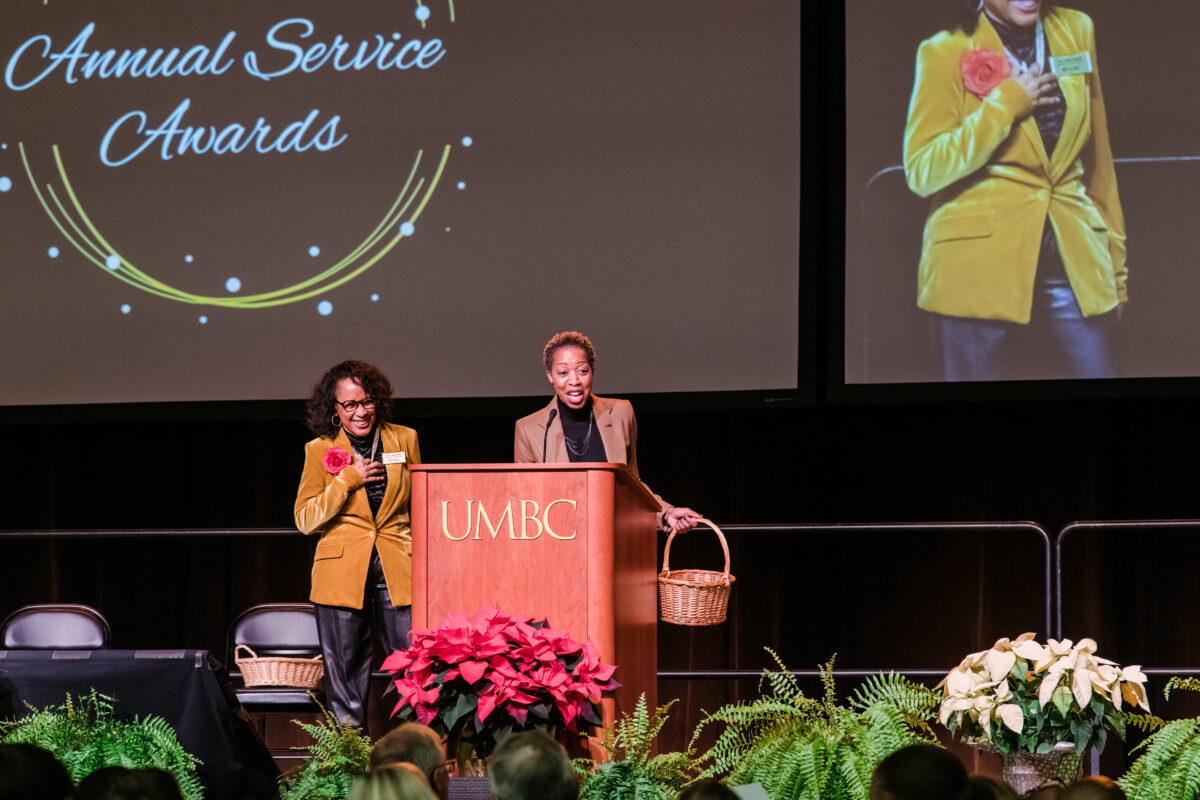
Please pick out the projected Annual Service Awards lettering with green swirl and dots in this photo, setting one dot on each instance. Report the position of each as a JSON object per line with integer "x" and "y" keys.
{"x": 279, "y": 51}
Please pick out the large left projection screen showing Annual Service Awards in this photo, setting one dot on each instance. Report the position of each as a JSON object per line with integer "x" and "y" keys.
{"x": 219, "y": 200}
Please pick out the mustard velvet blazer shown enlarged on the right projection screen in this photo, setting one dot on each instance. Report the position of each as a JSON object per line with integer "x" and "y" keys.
{"x": 995, "y": 188}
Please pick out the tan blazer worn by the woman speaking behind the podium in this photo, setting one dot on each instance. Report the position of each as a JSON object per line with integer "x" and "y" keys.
{"x": 619, "y": 431}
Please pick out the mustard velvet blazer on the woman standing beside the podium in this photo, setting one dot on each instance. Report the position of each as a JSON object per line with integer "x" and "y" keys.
{"x": 337, "y": 507}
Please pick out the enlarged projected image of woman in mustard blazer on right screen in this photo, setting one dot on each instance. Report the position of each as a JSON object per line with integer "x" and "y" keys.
{"x": 1025, "y": 225}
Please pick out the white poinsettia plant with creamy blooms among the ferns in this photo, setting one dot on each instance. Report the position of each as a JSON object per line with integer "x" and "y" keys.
{"x": 1027, "y": 696}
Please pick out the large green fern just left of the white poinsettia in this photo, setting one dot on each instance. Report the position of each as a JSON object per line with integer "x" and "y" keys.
{"x": 803, "y": 749}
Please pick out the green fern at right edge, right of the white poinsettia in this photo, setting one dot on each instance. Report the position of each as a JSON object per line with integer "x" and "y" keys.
{"x": 1169, "y": 766}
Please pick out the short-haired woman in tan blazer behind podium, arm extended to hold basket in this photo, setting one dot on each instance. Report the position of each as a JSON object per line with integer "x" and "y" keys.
{"x": 578, "y": 426}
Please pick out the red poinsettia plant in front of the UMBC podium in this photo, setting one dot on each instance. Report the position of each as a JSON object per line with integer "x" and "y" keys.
{"x": 478, "y": 678}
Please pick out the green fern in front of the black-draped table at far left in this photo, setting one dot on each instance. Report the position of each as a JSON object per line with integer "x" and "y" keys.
{"x": 87, "y": 736}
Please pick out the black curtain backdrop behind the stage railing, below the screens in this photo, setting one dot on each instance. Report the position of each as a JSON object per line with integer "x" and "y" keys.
{"x": 1049, "y": 461}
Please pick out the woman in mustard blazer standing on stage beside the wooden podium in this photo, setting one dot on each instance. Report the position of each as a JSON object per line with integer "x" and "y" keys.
{"x": 355, "y": 492}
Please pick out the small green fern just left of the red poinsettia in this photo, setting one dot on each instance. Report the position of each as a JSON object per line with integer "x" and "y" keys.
{"x": 339, "y": 755}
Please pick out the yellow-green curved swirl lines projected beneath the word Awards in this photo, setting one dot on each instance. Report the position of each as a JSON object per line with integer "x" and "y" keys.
{"x": 65, "y": 210}
